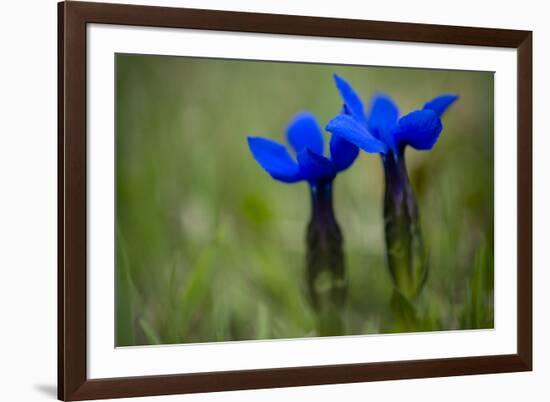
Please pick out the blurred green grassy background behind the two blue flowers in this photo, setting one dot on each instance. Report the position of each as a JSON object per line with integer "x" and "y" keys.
{"x": 210, "y": 248}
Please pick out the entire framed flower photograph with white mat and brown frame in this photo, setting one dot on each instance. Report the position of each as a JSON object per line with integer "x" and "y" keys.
{"x": 253, "y": 200}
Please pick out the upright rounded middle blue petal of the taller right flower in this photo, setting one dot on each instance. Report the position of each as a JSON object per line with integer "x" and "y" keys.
{"x": 382, "y": 118}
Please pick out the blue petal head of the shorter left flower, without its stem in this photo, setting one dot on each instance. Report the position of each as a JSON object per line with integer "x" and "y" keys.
{"x": 306, "y": 139}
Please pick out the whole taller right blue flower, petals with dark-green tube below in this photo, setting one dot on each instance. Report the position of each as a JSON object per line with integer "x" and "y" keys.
{"x": 383, "y": 131}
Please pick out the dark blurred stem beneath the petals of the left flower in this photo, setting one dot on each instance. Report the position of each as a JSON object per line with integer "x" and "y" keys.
{"x": 326, "y": 276}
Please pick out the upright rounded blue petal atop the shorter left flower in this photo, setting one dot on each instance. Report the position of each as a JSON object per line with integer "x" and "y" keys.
{"x": 304, "y": 132}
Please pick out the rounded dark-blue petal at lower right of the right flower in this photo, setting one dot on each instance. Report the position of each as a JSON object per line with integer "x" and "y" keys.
{"x": 419, "y": 129}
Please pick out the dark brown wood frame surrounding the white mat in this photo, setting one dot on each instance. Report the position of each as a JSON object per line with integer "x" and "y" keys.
{"x": 73, "y": 383}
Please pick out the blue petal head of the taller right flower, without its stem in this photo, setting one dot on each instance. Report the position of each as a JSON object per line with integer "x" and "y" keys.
{"x": 381, "y": 130}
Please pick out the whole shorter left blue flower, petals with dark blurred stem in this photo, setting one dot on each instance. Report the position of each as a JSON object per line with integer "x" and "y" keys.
{"x": 324, "y": 259}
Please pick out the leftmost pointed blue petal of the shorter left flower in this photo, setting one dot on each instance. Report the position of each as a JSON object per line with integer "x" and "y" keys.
{"x": 275, "y": 159}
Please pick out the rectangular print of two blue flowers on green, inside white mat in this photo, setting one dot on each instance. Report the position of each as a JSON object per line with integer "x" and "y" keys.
{"x": 273, "y": 200}
